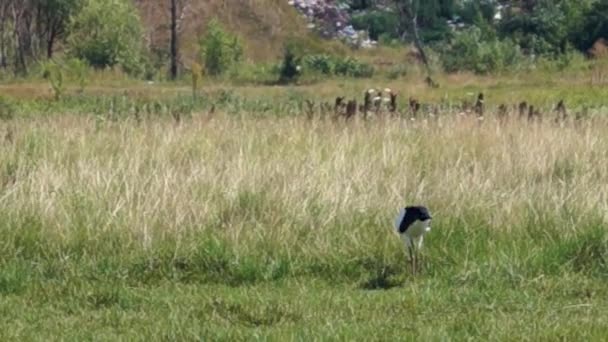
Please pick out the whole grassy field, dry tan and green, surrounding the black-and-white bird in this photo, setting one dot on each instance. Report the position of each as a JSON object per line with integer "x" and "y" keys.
{"x": 239, "y": 227}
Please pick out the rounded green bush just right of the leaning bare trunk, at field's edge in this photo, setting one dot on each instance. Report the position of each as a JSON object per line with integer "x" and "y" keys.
{"x": 469, "y": 52}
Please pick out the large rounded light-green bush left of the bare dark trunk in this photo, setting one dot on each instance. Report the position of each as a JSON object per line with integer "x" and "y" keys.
{"x": 108, "y": 33}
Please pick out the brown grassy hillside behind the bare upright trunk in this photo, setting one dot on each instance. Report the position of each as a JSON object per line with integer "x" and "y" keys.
{"x": 262, "y": 24}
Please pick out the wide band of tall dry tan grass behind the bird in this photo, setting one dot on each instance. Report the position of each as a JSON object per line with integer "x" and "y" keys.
{"x": 278, "y": 180}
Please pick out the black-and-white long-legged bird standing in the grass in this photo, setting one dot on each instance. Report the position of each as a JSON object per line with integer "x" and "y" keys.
{"x": 412, "y": 223}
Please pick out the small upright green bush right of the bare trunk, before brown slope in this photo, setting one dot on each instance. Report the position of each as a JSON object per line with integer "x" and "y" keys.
{"x": 219, "y": 49}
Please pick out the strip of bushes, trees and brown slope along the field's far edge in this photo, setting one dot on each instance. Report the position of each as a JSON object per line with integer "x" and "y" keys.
{"x": 481, "y": 36}
